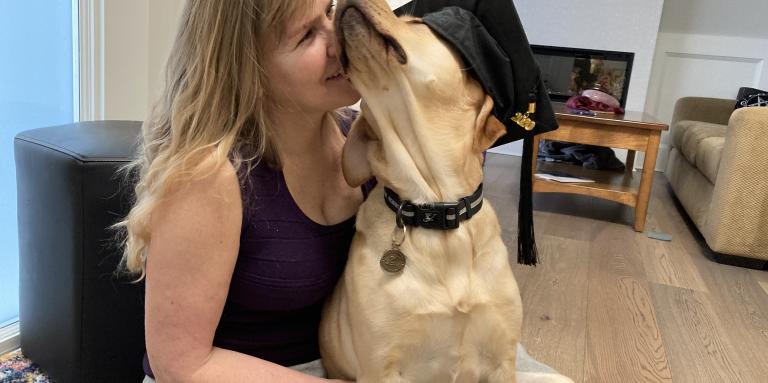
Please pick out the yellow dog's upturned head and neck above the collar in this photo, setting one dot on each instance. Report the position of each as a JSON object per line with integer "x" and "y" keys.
{"x": 425, "y": 120}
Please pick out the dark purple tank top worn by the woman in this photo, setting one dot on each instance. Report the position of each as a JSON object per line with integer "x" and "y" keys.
{"x": 286, "y": 267}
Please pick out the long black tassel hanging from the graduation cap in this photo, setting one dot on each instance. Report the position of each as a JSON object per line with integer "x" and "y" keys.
{"x": 526, "y": 240}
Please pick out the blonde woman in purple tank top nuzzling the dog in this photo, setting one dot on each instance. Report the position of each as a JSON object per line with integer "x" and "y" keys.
{"x": 242, "y": 219}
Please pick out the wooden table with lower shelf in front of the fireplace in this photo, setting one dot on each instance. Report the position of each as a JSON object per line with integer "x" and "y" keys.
{"x": 635, "y": 131}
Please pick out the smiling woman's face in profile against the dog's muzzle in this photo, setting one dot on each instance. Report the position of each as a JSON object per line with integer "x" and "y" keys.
{"x": 303, "y": 69}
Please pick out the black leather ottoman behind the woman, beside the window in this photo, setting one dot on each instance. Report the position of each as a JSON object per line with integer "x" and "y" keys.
{"x": 78, "y": 321}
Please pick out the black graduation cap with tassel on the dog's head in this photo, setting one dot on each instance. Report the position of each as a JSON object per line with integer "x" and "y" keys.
{"x": 491, "y": 39}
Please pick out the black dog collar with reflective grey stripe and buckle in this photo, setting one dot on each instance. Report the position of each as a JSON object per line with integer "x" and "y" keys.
{"x": 437, "y": 215}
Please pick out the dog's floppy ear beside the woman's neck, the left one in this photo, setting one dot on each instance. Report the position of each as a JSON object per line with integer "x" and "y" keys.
{"x": 354, "y": 159}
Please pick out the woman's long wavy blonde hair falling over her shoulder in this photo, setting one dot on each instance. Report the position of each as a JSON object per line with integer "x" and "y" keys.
{"x": 214, "y": 100}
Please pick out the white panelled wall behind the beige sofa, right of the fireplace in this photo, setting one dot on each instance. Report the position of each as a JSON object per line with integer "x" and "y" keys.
{"x": 706, "y": 48}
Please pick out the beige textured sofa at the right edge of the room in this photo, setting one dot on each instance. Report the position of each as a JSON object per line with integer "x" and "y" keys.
{"x": 718, "y": 169}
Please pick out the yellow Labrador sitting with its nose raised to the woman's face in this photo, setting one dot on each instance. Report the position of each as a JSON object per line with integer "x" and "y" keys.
{"x": 453, "y": 313}
